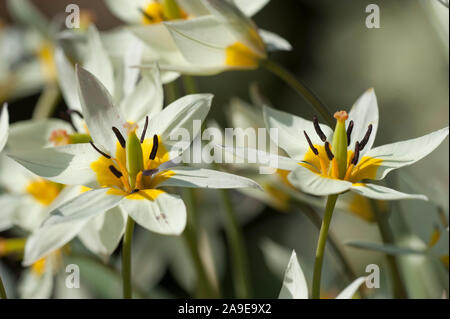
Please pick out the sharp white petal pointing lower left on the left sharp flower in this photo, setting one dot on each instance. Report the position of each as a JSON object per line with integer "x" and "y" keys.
{"x": 84, "y": 207}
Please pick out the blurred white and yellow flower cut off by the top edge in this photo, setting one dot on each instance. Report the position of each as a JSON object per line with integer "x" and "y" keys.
{"x": 200, "y": 37}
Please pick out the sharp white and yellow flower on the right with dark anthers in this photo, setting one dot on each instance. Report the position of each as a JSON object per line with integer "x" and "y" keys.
{"x": 323, "y": 163}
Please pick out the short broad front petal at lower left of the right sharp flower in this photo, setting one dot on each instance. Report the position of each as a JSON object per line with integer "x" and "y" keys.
{"x": 312, "y": 183}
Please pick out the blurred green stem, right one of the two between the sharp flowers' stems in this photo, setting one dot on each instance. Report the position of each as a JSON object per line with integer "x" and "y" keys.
{"x": 236, "y": 243}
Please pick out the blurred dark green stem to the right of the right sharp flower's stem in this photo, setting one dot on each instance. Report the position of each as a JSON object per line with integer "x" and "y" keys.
{"x": 388, "y": 238}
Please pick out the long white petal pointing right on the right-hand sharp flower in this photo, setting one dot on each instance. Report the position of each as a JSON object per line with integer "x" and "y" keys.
{"x": 407, "y": 152}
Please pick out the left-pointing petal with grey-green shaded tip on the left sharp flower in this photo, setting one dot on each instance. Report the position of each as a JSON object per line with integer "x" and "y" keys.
{"x": 69, "y": 164}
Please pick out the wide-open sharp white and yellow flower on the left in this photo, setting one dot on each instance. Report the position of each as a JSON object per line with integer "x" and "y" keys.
{"x": 121, "y": 169}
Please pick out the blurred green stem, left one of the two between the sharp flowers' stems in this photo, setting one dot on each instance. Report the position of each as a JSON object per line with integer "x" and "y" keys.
{"x": 205, "y": 288}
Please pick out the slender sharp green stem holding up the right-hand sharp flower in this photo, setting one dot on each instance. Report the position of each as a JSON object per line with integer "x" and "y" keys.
{"x": 321, "y": 243}
